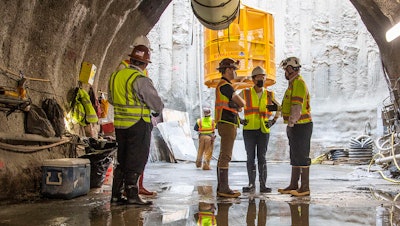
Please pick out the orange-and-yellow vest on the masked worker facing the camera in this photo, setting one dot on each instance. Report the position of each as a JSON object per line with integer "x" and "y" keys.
{"x": 255, "y": 111}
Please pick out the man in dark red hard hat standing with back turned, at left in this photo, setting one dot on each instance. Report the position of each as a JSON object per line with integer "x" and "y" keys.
{"x": 134, "y": 97}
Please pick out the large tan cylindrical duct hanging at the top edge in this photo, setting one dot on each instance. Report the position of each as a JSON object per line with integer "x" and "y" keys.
{"x": 217, "y": 14}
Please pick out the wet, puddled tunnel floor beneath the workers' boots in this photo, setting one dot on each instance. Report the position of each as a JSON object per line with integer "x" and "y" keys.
{"x": 340, "y": 195}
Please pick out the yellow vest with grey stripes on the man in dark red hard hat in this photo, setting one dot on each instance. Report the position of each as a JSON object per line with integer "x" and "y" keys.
{"x": 128, "y": 109}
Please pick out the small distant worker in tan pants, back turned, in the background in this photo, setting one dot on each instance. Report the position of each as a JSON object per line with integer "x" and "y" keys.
{"x": 206, "y": 128}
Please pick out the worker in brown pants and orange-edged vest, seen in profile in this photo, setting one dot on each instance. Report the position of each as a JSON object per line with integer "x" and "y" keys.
{"x": 227, "y": 106}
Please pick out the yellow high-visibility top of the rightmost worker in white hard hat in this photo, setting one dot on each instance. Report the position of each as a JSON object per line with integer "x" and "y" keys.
{"x": 297, "y": 93}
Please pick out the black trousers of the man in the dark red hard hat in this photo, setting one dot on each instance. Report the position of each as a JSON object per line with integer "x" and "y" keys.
{"x": 133, "y": 148}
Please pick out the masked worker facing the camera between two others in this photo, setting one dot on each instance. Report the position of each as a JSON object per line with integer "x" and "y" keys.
{"x": 256, "y": 128}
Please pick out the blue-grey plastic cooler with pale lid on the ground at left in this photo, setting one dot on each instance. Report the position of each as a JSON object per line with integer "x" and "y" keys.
{"x": 65, "y": 178}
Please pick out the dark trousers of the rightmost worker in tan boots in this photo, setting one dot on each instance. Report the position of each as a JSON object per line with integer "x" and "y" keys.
{"x": 300, "y": 141}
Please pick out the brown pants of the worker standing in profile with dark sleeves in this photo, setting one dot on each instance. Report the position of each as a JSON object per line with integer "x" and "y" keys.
{"x": 228, "y": 135}
